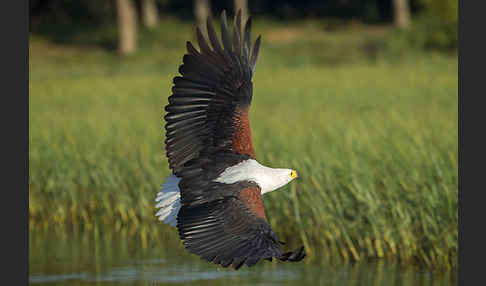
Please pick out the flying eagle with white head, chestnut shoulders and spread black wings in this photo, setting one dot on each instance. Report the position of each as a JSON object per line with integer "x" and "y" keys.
{"x": 214, "y": 194}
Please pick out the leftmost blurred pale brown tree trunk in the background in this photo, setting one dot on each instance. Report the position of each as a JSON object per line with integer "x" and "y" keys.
{"x": 127, "y": 27}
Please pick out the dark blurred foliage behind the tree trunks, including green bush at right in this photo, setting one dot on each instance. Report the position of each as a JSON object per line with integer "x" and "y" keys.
{"x": 434, "y": 24}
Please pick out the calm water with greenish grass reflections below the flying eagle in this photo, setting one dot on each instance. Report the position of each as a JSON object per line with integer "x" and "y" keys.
{"x": 128, "y": 258}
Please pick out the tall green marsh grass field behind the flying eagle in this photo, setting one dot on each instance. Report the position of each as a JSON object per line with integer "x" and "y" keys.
{"x": 373, "y": 138}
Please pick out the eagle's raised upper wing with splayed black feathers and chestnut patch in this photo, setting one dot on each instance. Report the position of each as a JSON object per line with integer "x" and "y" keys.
{"x": 208, "y": 108}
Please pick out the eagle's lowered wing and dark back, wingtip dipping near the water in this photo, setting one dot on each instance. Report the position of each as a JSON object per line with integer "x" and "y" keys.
{"x": 225, "y": 223}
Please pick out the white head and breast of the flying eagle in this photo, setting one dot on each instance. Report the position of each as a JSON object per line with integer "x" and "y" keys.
{"x": 268, "y": 179}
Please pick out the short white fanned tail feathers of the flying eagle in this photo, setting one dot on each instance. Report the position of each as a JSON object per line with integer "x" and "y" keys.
{"x": 169, "y": 200}
